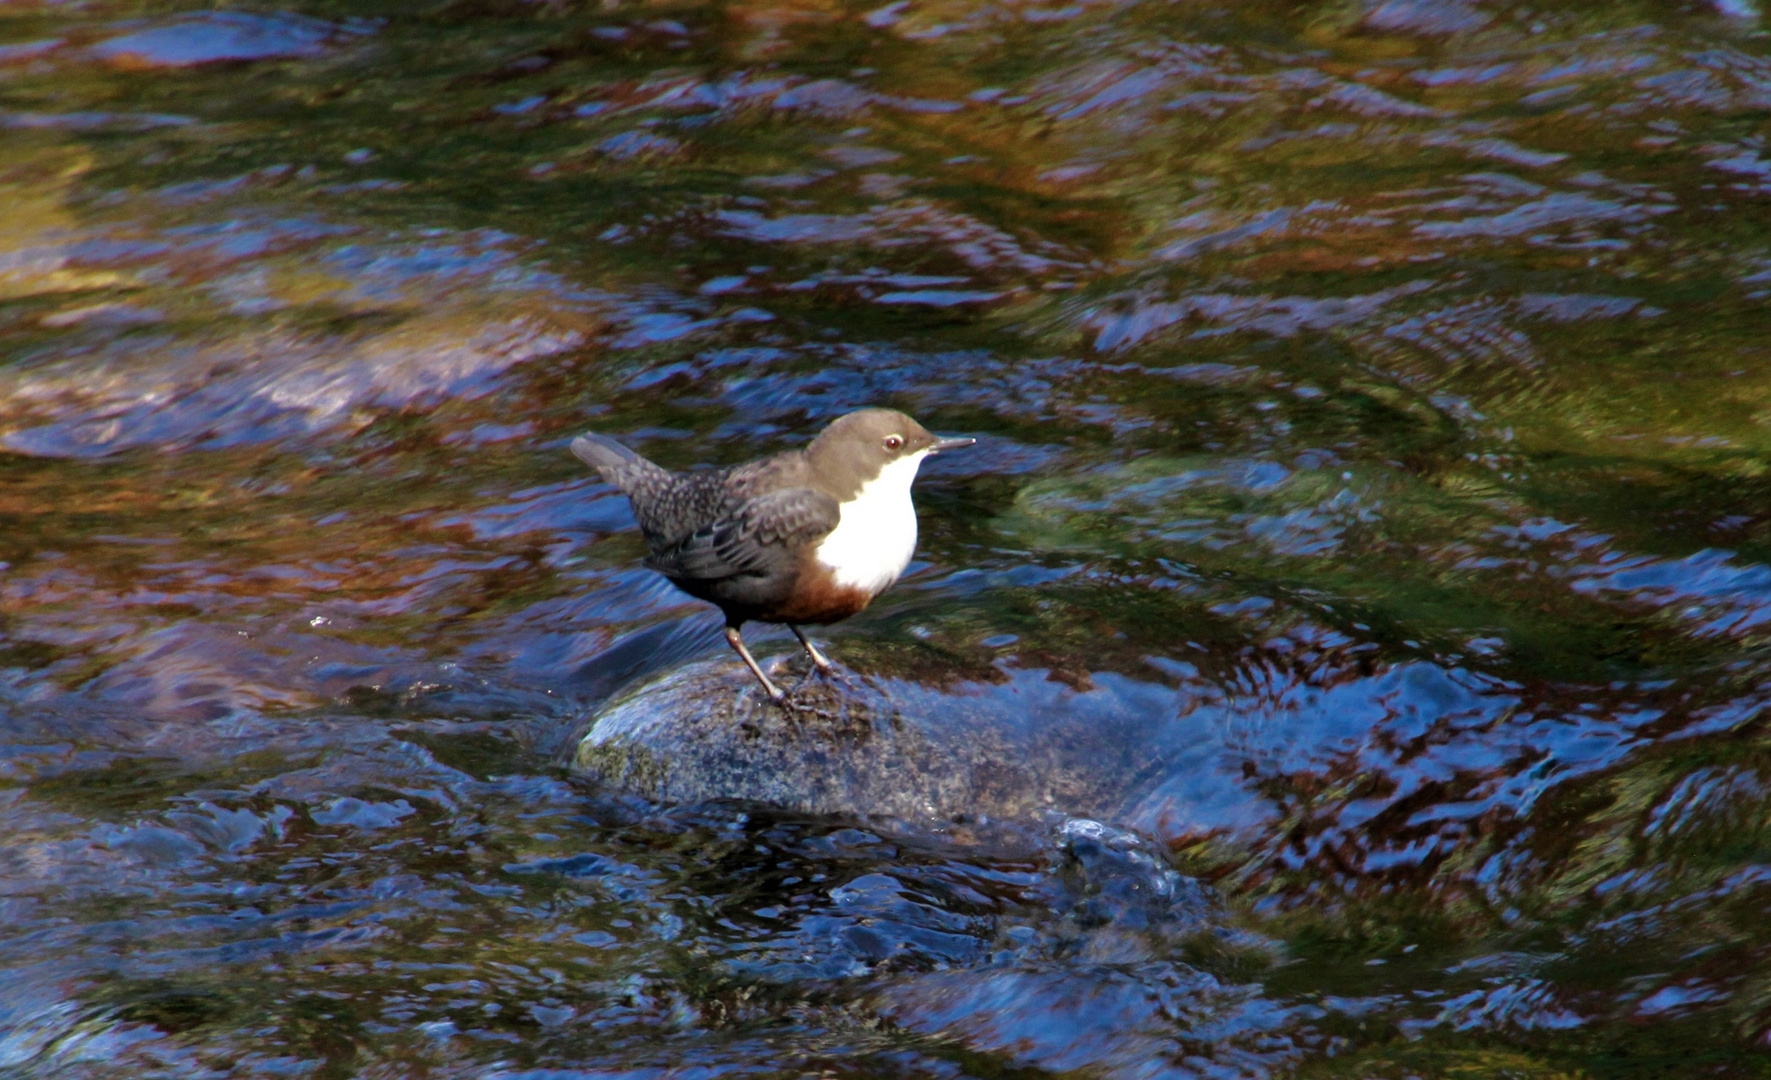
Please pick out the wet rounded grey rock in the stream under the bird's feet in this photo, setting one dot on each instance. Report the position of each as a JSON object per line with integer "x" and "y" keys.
{"x": 879, "y": 746}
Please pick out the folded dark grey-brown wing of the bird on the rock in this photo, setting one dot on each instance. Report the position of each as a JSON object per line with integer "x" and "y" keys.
{"x": 757, "y": 537}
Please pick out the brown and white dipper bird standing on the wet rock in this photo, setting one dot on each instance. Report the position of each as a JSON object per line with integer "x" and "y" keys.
{"x": 803, "y": 537}
